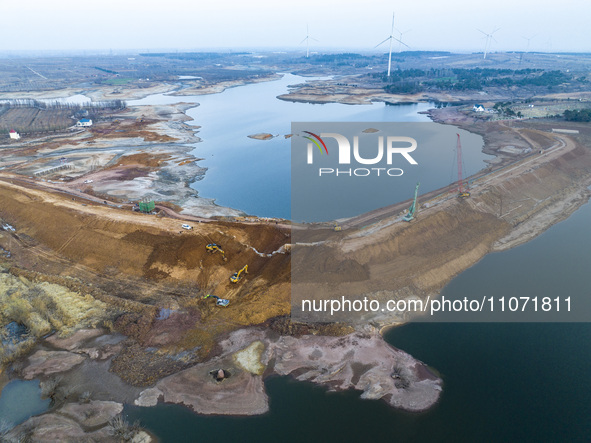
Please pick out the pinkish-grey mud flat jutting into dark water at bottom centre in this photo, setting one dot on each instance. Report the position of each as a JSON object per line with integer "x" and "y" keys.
{"x": 360, "y": 361}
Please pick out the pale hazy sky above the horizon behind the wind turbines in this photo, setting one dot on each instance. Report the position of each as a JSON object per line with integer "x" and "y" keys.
{"x": 558, "y": 25}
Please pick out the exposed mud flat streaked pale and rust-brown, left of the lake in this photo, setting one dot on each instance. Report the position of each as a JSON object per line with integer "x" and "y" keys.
{"x": 141, "y": 154}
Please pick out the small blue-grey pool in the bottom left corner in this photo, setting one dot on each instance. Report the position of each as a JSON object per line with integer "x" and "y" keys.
{"x": 21, "y": 399}
